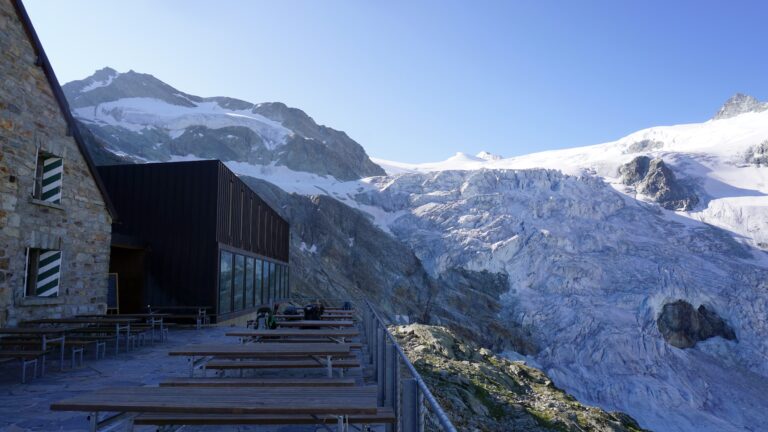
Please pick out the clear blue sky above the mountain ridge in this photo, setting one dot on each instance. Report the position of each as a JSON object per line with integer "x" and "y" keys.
{"x": 417, "y": 80}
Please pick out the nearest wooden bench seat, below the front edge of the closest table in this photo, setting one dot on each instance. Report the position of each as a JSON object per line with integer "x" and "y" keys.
{"x": 382, "y": 416}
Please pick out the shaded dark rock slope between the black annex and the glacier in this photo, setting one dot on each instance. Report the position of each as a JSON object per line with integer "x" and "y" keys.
{"x": 338, "y": 252}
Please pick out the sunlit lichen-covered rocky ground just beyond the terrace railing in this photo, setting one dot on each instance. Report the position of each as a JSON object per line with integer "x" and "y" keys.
{"x": 483, "y": 392}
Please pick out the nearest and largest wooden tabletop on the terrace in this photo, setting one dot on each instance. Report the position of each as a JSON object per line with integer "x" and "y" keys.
{"x": 240, "y": 400}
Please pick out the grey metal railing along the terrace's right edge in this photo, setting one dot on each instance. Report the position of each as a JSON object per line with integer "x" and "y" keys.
{"x": 404, "y": 392}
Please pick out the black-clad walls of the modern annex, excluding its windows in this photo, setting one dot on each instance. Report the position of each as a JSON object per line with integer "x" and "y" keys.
{"x": 183, "y": 213}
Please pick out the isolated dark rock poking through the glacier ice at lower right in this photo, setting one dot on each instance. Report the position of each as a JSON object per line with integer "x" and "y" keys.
{"x": 683, "y": 326}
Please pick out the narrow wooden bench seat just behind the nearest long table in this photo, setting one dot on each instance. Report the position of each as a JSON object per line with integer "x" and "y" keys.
{"x": 259, "y": 382}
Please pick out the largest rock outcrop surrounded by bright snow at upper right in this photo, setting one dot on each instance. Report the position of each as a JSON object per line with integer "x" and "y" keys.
{"x": 652, "y": 177}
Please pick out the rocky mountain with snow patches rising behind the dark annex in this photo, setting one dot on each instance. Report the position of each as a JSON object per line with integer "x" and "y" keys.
{"x": 143, "y": 119}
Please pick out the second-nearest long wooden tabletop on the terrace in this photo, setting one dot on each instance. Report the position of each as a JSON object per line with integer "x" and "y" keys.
{"x": 262, "y": 350}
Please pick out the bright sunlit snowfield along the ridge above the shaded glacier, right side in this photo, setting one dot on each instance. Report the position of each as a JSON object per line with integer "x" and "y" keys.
{"x": 723, "y": 162}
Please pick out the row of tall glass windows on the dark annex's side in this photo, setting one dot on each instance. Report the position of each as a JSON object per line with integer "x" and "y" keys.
{"x": 246, "y": 282}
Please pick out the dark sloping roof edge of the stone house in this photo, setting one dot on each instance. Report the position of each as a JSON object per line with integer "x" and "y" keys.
{"x": 42, "y": 61}
